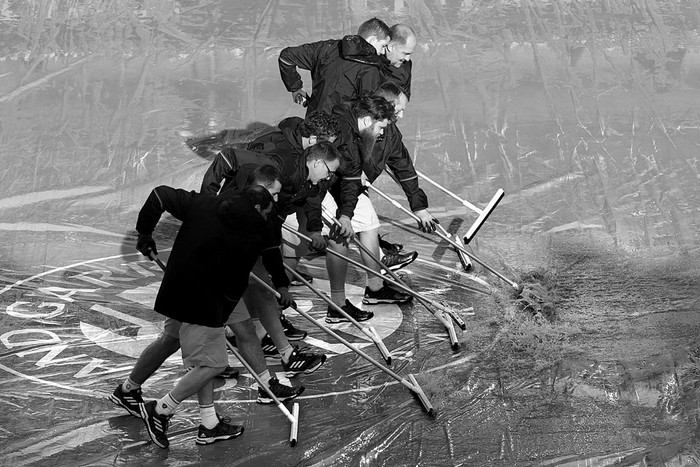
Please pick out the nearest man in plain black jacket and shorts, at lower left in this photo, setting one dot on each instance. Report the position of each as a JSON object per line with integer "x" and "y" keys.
{"x": 215, "y": 249}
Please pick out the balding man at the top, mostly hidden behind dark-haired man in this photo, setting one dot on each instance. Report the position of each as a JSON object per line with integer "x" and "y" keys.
{"x": 396, "y": 62}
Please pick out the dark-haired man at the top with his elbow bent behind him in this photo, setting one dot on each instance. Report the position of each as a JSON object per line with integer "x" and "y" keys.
{"x": 340, "y": 69}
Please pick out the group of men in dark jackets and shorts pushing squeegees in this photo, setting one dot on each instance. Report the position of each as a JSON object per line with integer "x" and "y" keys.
{"x": 233, "y": 227}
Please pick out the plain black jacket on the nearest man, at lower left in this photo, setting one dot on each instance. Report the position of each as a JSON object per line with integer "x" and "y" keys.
{"x": 214, "y": 251}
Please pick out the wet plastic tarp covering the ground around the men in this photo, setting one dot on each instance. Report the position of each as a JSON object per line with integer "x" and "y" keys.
{"x": 584, "y": 112}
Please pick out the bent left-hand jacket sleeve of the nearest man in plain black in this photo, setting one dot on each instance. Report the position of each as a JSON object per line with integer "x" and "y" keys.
{"x": 163, "y": 199}
